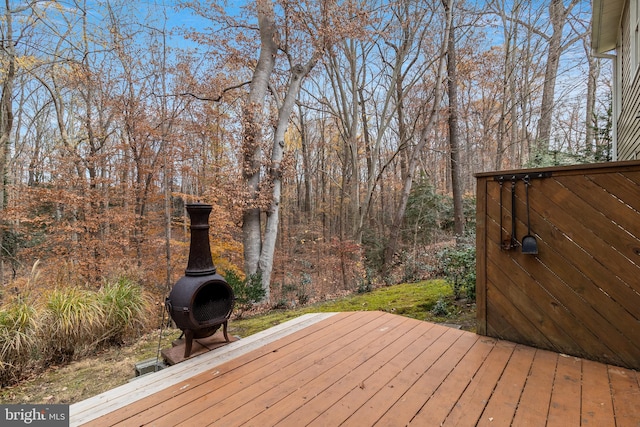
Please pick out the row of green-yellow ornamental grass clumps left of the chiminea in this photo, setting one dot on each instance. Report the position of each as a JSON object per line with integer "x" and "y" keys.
{"x": 66, "y": 322}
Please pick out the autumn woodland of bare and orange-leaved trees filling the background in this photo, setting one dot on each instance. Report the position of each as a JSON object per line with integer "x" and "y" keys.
{"x": 336, "y": 139}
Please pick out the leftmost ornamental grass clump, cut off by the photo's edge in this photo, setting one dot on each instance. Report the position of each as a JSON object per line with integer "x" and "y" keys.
{"x": 18, "y": 342}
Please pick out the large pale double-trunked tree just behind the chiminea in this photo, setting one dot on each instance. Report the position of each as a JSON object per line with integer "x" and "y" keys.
{"x": 320, "y": 25}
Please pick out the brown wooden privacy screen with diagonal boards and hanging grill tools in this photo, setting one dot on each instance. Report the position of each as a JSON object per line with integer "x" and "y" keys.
{"x": 580, "y": 294}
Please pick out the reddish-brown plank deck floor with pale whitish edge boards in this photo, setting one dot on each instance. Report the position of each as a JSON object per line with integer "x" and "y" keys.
{"x": 372, "y": 368}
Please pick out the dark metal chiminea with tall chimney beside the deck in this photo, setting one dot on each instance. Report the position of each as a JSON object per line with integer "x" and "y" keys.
{"x": 201, "y": 300}
